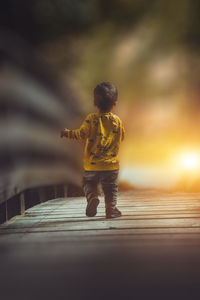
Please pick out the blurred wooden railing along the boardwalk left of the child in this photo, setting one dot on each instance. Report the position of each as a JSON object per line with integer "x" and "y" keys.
{"x": 35, "y": 164}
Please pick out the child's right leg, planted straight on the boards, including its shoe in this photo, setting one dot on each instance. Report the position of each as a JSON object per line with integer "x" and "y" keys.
{"x": 109, "y": 181}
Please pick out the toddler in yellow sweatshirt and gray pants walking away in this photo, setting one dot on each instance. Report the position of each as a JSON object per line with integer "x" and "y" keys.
{"x": 102, "y": 133}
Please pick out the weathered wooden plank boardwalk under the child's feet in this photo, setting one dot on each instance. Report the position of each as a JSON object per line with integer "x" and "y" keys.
{"x": 55, "y": 252}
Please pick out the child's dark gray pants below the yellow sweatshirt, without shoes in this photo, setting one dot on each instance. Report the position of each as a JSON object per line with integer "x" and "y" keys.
{"x": 109, "y": 182}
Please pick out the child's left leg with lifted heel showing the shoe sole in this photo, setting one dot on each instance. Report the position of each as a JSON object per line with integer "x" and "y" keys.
{"x": 90, "y": 184}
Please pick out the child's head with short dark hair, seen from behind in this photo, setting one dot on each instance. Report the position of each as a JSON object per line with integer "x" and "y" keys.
{"x": 105, "y": 96}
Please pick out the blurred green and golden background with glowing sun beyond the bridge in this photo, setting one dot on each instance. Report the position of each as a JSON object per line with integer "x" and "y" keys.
{"x": 150, "y": 50}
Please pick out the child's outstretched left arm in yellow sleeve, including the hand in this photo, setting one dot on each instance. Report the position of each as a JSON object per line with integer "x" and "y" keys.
{"x": 78, "y": 134}
